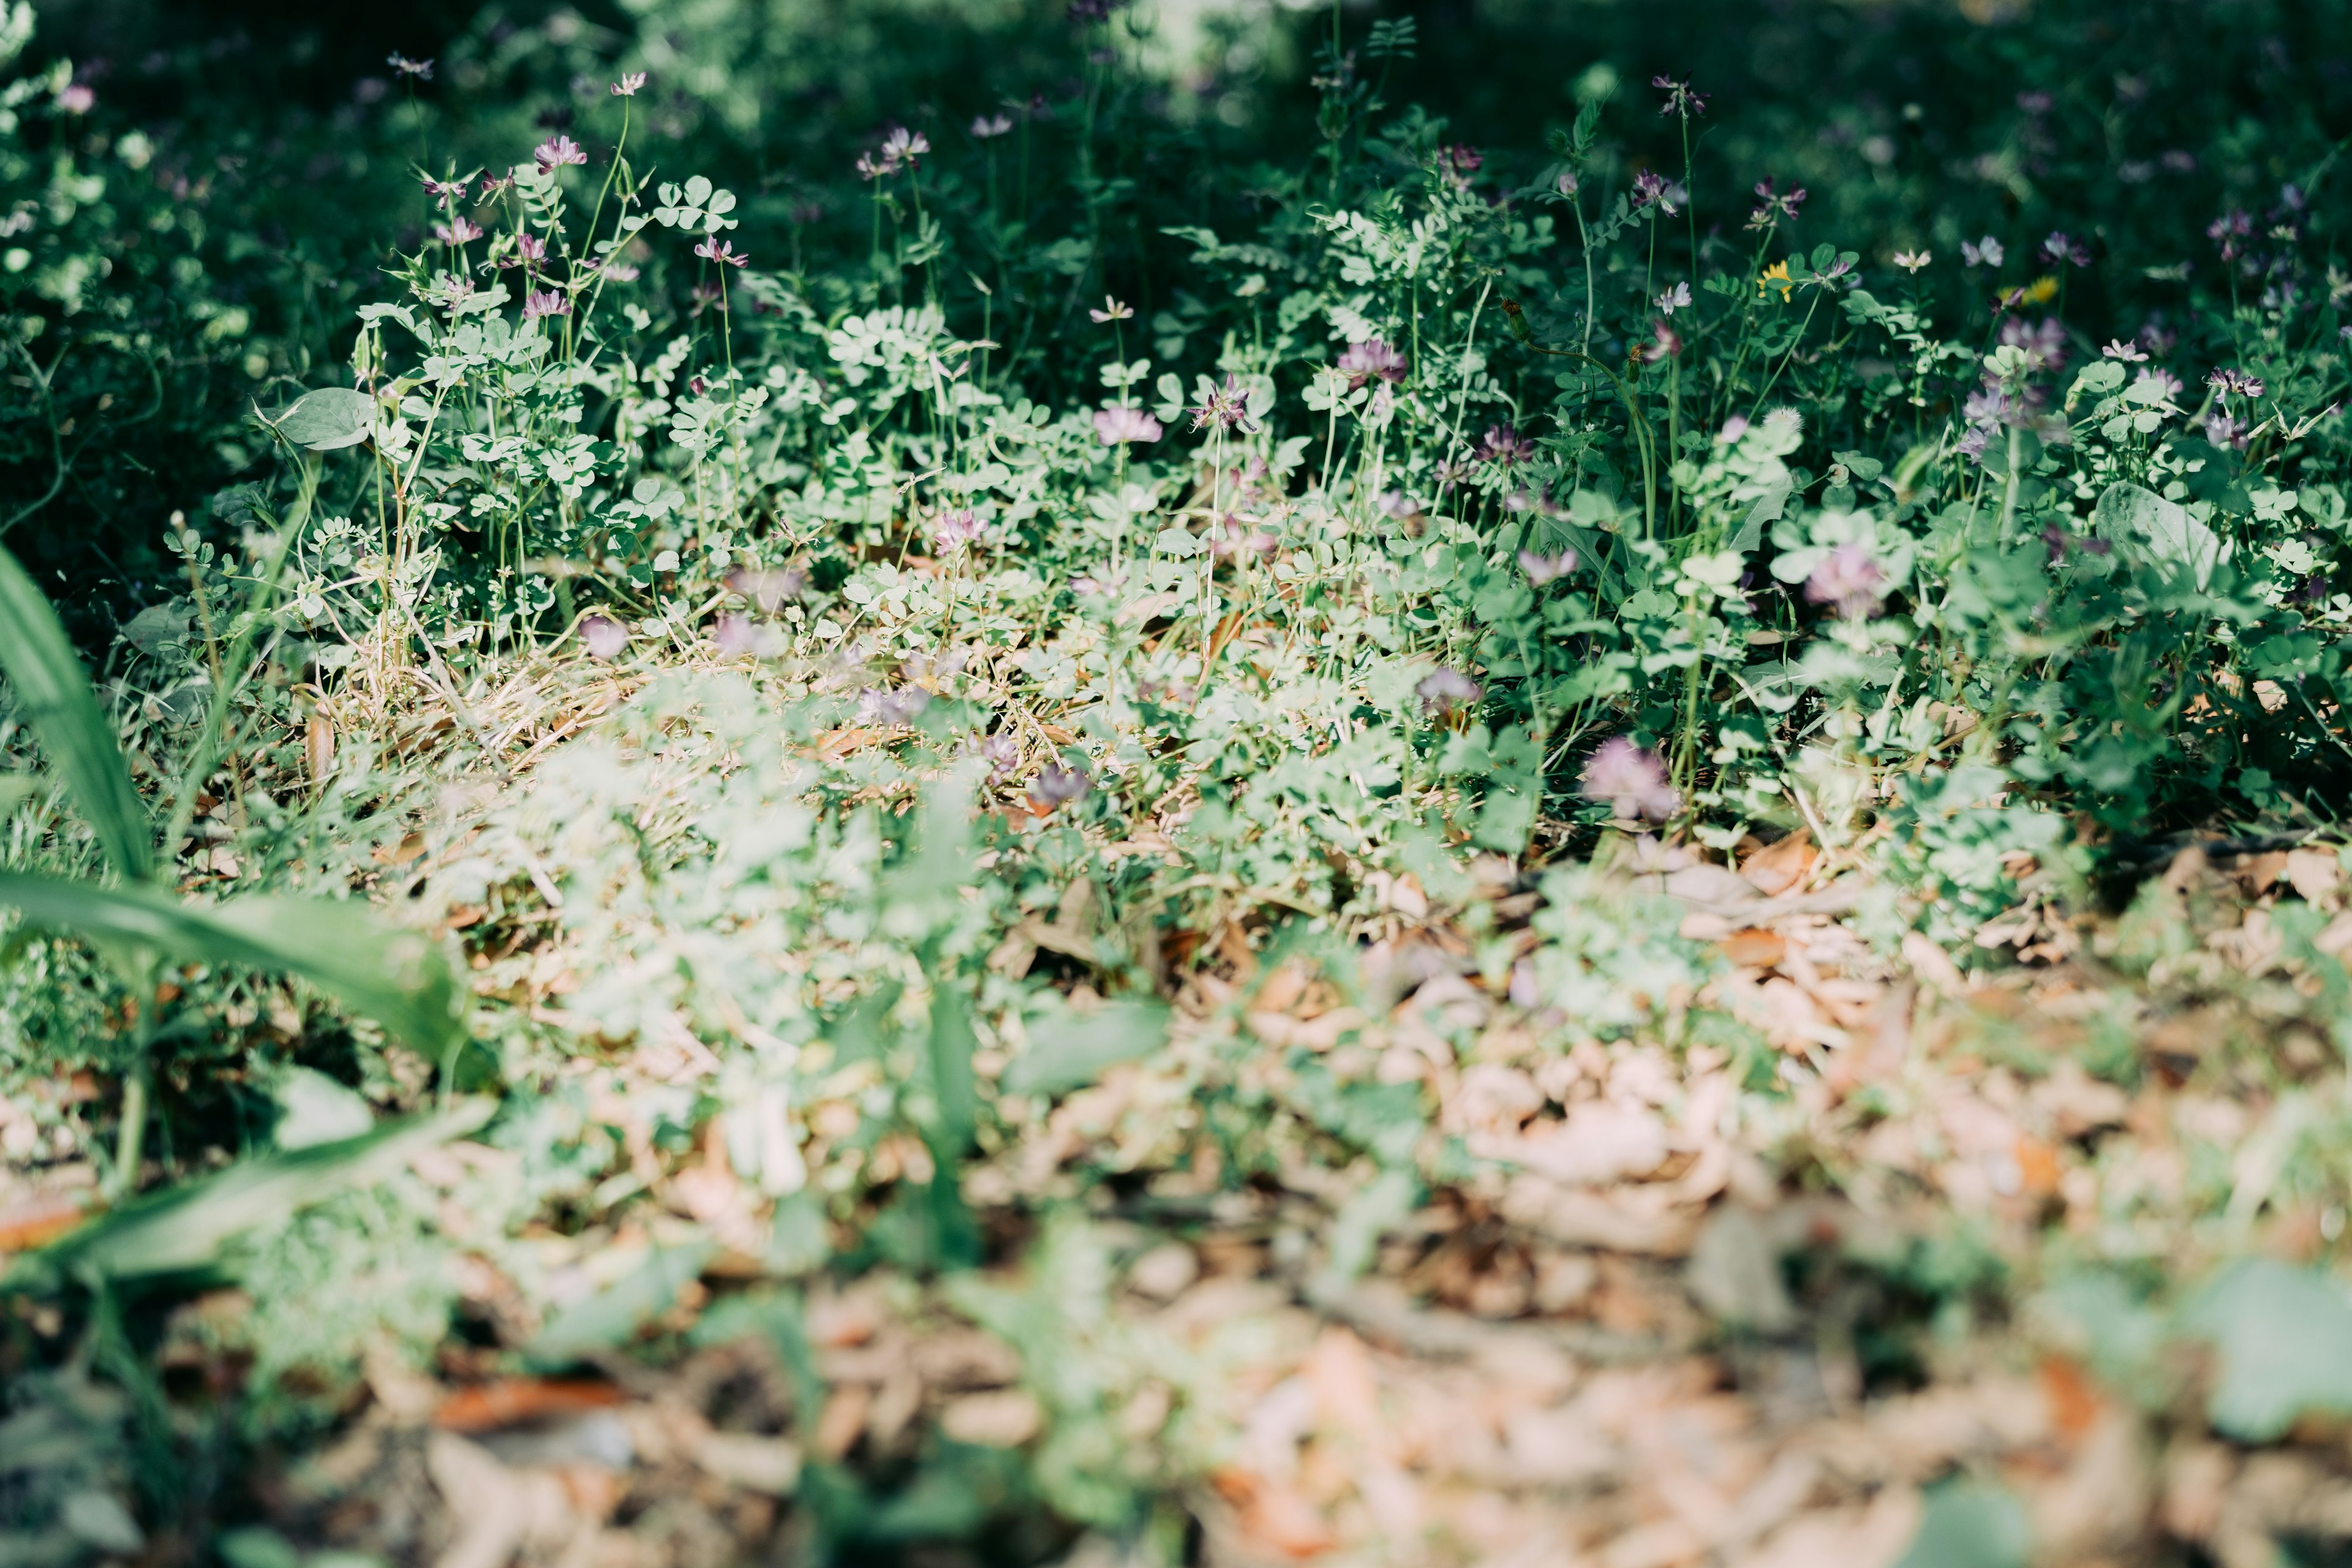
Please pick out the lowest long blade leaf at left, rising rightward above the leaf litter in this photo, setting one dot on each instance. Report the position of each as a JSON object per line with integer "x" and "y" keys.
{"x": 192, "y": 1228}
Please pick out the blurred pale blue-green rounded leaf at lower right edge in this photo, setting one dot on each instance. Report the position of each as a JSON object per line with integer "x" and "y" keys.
{"x": 2285, "y": 1341}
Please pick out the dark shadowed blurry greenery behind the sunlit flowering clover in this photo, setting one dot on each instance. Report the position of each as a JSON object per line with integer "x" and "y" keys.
{"x": 276, "y": 159}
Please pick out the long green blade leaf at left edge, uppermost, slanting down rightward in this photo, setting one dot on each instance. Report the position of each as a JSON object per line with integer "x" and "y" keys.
{"x": 74, "y": 730}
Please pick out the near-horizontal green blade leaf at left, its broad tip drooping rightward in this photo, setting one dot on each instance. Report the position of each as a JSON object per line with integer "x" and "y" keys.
{"x": 394, "y": 977}
